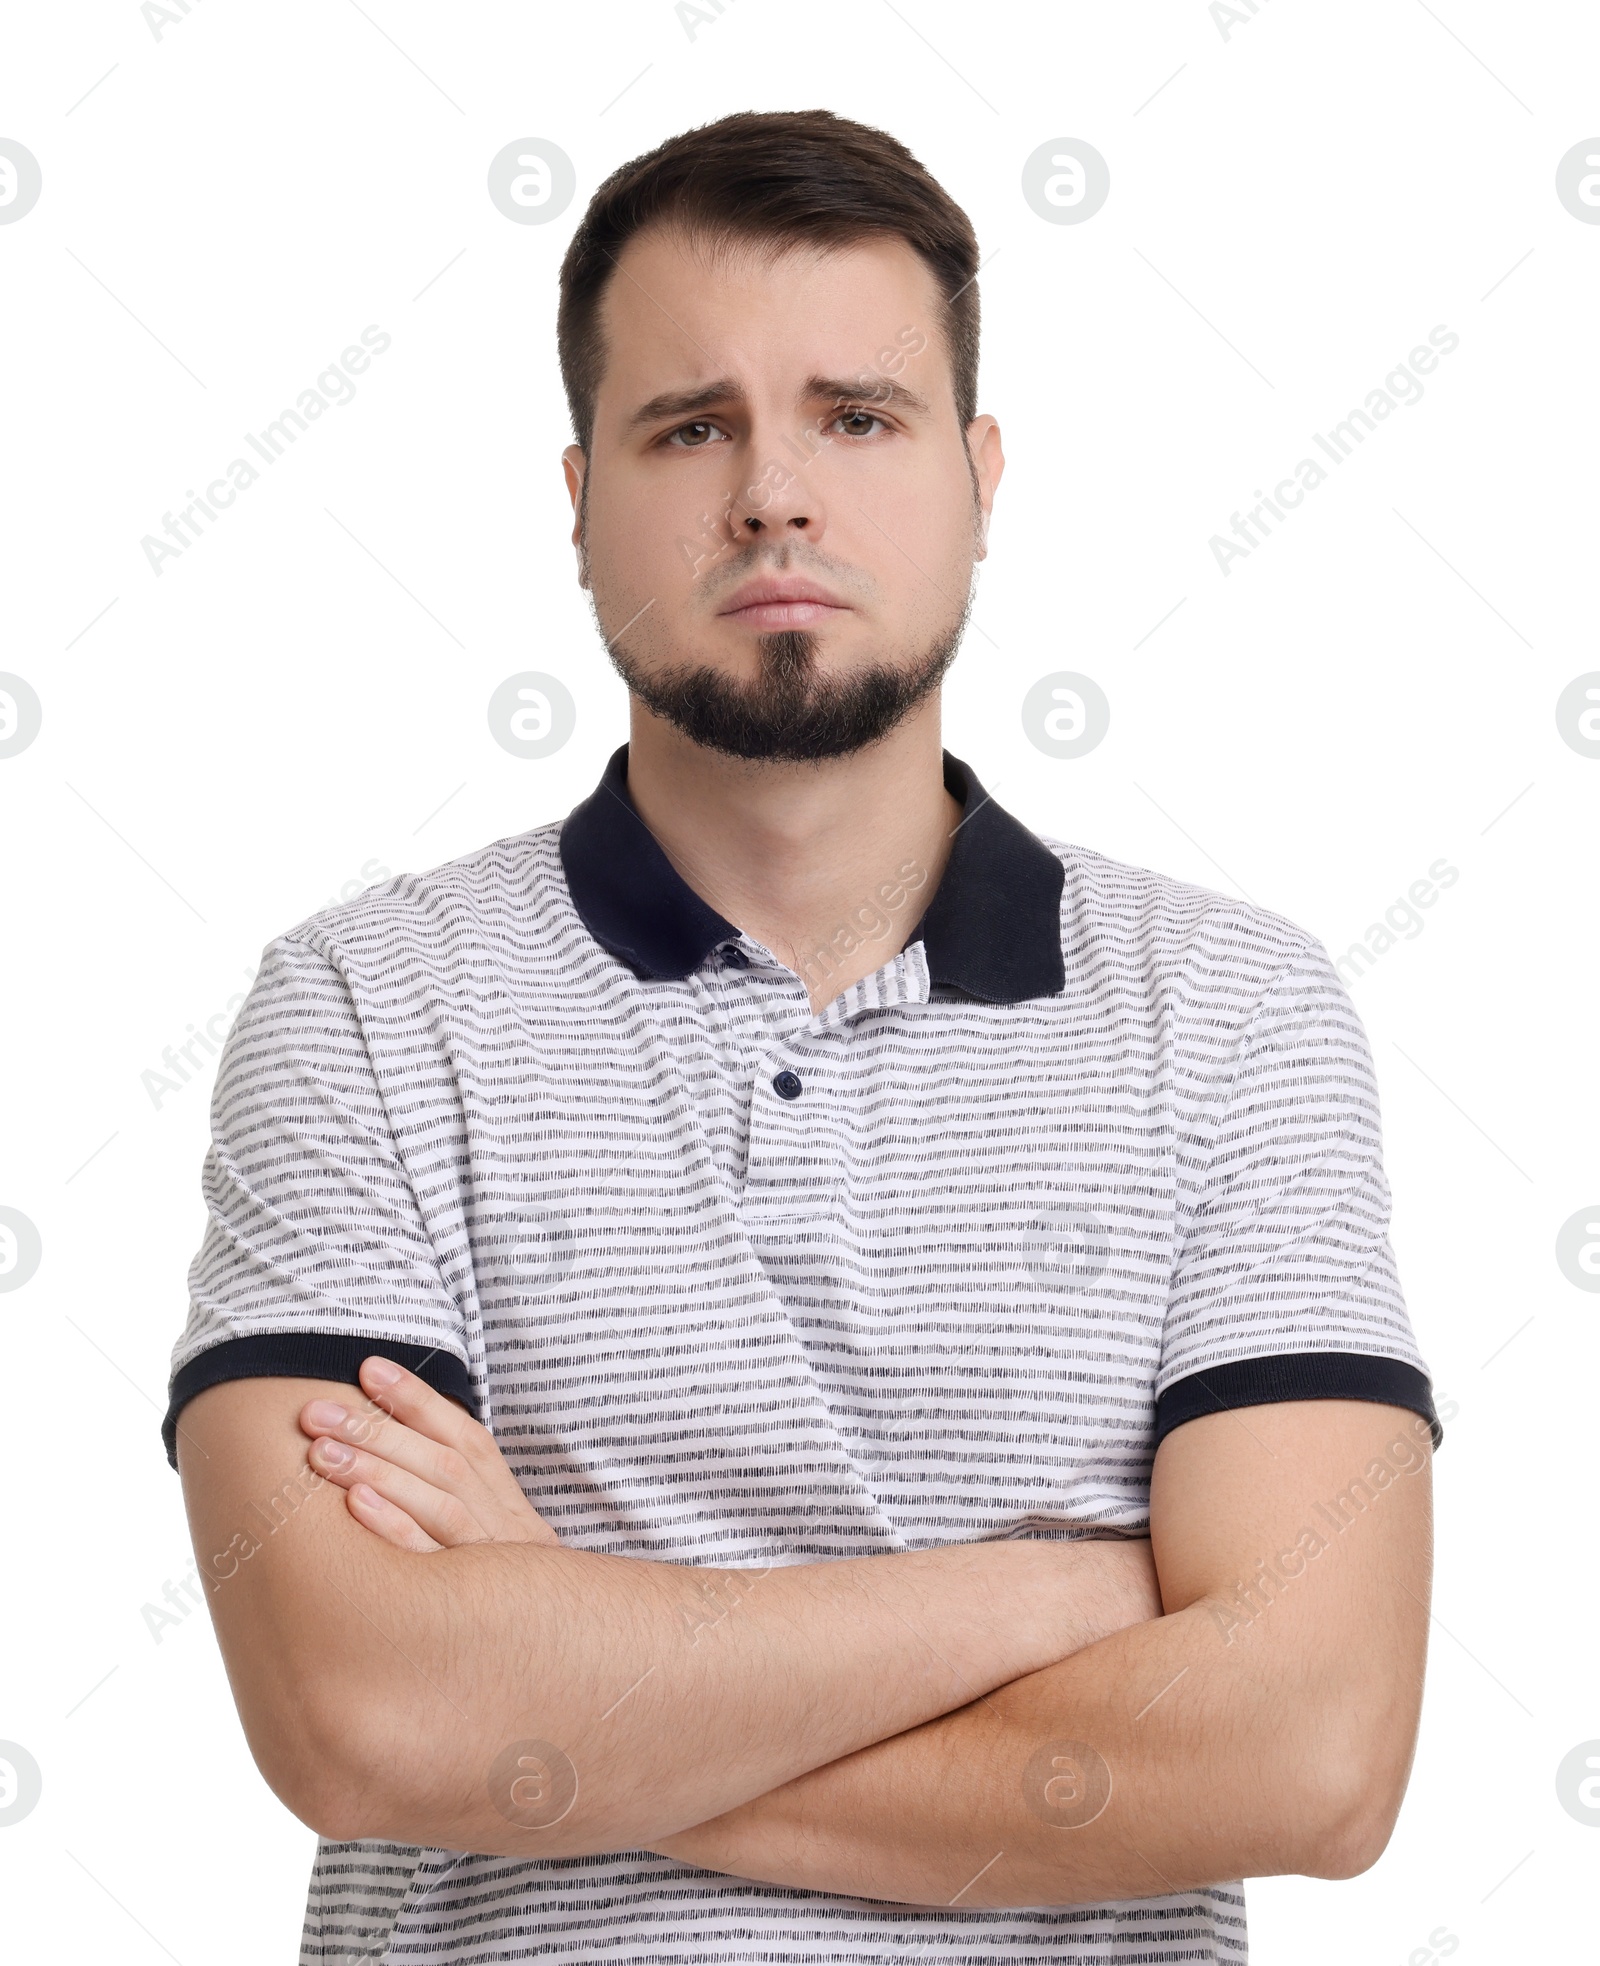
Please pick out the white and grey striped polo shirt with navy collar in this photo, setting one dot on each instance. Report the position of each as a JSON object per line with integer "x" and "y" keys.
{"x": 738, "y": 1283}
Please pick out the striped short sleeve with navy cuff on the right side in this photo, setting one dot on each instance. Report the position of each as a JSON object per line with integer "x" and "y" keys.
{"x": 1285, "y": 1283}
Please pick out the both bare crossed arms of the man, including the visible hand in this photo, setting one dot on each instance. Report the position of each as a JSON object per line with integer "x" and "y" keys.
{"x": 1017, "y": 1723}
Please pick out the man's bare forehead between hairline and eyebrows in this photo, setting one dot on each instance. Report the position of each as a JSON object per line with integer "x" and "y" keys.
{"x": 681, "y": 312}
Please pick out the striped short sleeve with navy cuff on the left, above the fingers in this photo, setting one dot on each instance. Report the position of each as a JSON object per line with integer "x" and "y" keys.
{"x": 315, "y": 1249}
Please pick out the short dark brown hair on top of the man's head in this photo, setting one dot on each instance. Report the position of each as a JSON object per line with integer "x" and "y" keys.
{"x": 770, "y": 178}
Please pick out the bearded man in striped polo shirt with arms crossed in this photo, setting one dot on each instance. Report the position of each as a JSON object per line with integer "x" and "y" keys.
{"x": 783, "y": 1369}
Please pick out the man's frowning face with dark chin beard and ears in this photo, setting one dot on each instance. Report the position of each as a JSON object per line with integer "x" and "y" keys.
{"x": 779, "y": 424}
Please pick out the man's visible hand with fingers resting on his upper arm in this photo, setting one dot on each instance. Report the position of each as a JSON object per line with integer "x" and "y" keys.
{"x": 416, "y": 1468}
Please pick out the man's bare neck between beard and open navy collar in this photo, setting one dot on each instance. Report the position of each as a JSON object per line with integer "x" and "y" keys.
{"x": 829, "y": 866}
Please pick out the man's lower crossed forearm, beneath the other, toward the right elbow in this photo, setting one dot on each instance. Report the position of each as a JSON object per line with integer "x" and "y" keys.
{"x": 1151, "y": 1763}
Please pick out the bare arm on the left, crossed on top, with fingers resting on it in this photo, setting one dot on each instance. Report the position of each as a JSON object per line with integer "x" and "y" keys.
{"x": 510, "y": 1696}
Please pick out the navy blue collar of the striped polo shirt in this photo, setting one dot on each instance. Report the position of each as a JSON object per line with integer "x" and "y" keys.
{"x": 994, "y": 929}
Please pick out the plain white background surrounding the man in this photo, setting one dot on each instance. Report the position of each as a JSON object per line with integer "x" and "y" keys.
{"x": 304, "y": 695}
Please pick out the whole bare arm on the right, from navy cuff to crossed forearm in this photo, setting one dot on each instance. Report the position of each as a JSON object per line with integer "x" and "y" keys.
{"x": 1224, "y": 1741}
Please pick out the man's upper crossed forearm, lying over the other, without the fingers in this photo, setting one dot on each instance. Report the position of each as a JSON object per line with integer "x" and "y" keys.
{"x": 659, "y": 1696}
